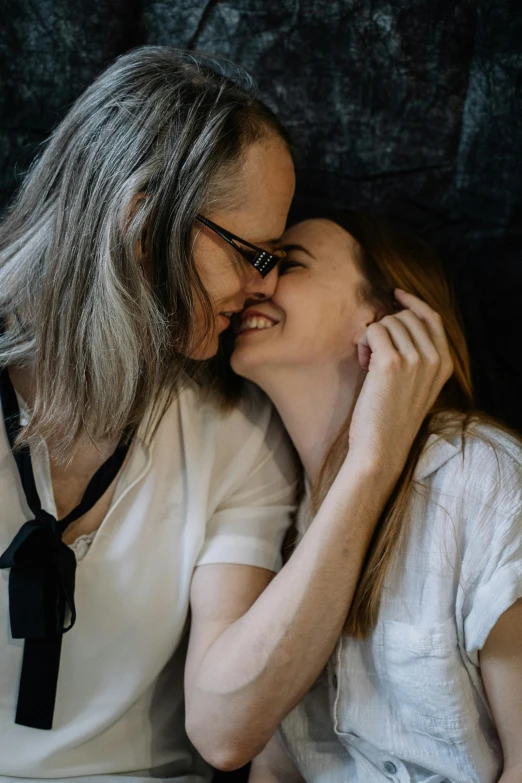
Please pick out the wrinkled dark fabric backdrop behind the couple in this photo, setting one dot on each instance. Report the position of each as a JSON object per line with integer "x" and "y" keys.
{"x": 411, "y": 107}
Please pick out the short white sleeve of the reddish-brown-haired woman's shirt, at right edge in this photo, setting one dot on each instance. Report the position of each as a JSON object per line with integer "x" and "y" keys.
{"x": 491, "y": 577}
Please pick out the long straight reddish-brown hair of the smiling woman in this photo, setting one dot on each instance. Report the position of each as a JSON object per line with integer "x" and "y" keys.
{"x": 389, "y": 258}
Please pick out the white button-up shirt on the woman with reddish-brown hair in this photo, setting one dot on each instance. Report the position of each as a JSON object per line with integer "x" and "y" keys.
{"x": 408, "y": 704}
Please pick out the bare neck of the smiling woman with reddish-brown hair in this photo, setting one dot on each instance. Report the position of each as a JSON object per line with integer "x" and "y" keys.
{"x": 314, "y": 403}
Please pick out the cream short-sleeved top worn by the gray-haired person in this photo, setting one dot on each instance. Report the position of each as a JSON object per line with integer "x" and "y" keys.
{"x": 212, "y": 487}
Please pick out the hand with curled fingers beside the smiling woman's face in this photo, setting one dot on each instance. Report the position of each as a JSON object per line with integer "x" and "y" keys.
{"x": 408, "y": 362}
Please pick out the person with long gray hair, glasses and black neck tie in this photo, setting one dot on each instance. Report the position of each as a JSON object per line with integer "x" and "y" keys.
{"x": 120, "y": 265}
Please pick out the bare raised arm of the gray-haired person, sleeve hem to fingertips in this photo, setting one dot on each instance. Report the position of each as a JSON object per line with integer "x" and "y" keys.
{"x": 254, "y": 652}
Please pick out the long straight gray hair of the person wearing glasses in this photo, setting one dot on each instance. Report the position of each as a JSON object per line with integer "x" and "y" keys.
{"x": 104, "y": 345}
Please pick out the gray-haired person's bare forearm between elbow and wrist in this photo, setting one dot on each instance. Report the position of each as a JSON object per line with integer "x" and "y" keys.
{"x": 261, "y": 665}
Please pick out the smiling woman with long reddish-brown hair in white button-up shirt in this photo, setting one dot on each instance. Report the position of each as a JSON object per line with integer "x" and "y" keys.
{"x": 425, "y": 683}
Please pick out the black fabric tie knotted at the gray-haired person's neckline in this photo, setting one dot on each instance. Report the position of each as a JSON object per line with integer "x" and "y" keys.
{"x": 42, "y": 576}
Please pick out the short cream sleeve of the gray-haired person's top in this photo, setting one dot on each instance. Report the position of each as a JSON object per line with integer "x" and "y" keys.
{"x": 253, "y": 490}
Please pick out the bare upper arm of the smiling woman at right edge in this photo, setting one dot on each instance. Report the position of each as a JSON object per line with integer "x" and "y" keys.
{"x": 501, "y": 667}
